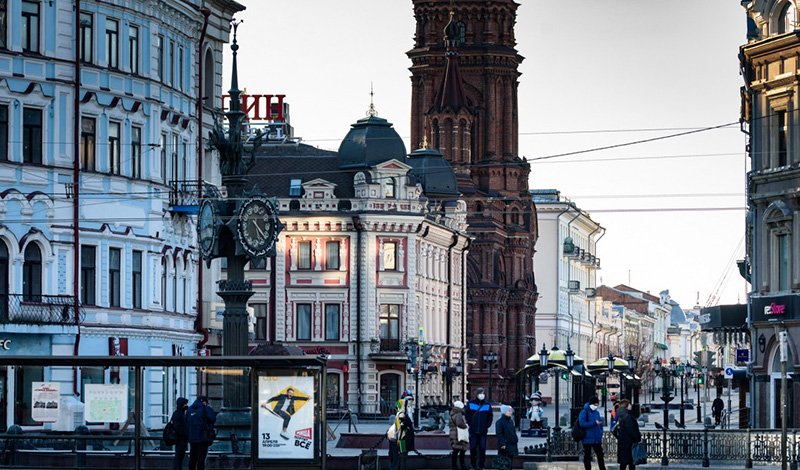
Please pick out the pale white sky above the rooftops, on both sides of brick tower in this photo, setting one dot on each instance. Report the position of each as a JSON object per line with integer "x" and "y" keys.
{"x": 591, "y": 65}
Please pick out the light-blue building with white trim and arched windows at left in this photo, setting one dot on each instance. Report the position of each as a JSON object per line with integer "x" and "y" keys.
{"x": 99, "y": 136}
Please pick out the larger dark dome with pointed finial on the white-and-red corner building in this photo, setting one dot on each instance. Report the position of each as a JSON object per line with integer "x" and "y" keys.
{"x": 372, "y": 140}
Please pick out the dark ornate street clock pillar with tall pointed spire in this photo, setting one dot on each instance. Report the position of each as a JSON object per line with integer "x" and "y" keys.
{"x": 221, "y": 234}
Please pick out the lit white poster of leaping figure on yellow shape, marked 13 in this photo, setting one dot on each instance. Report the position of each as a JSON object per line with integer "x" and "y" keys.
{"x": 286, "y": 428}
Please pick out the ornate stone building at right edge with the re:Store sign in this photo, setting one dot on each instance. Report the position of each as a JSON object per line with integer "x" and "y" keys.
{"x": 769, "y": 64}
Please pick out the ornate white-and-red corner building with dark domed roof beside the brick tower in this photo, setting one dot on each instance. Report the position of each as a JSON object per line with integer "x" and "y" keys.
{"x": 370, "y": 268}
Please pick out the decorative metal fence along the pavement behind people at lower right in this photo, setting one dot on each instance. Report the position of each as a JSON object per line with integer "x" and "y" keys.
{"x": 731, "y": 445}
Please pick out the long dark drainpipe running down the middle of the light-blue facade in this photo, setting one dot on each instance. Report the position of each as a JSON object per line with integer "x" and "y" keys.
{"x": 76, "y": 179}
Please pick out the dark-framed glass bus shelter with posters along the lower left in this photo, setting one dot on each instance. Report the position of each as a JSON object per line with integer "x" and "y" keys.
{"x": 110, "y": 411}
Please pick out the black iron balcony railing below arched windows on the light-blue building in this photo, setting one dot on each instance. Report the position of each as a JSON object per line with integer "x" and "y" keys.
{"x": 37, "y": 309}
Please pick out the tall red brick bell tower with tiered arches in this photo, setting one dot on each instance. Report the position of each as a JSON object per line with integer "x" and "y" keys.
{"x": 464, "y": 101}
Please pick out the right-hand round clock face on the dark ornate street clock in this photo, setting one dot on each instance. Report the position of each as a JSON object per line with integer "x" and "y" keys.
{"x": 256, "y": 226}
